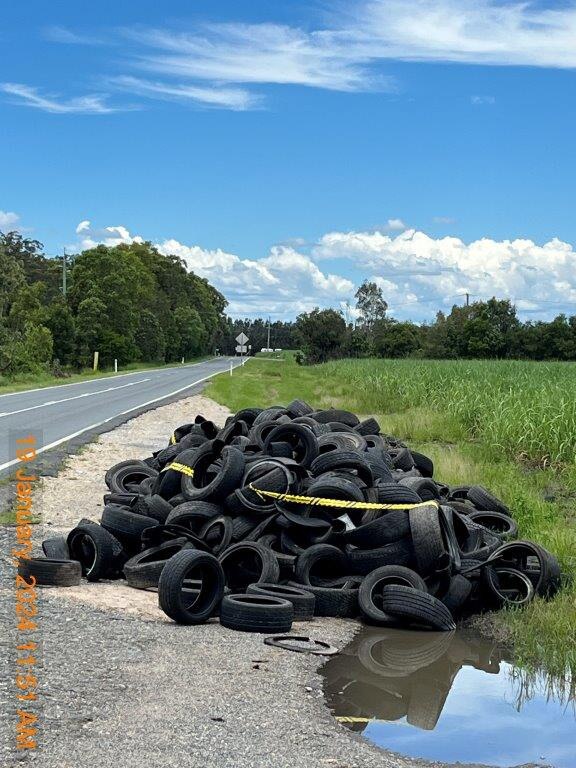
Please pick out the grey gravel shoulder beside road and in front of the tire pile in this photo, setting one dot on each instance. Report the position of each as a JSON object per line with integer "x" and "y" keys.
{"x": 122, "y": 685}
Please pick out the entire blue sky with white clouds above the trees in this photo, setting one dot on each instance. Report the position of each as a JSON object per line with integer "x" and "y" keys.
{"x": 287, "y": 151}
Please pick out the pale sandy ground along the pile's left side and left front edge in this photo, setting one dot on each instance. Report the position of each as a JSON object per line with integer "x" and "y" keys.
{"x": 78, "y": 492}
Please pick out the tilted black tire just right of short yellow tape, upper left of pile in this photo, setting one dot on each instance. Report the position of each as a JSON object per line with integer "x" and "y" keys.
{"x": 202, "y": 486}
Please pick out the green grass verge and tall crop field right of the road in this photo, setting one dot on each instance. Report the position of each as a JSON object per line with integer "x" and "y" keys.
{"x": 510, "y": 426}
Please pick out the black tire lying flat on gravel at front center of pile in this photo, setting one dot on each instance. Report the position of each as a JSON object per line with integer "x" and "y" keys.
{"x": 256, "y": 613}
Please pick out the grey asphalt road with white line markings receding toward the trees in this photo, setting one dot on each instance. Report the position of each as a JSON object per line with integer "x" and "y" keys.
{"x": 58, "y": 414}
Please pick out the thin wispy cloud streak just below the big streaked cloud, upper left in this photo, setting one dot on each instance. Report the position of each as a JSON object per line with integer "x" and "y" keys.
{"x": 232, "y": 98}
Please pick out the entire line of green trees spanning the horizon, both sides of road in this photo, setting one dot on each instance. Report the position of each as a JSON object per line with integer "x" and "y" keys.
{"x": 133, "y": 304}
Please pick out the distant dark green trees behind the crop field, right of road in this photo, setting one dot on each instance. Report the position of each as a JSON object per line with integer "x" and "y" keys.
{"x": 484, "y": 329}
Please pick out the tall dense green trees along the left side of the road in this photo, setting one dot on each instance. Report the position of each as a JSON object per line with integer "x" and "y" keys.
{"x": 129, "y": 302}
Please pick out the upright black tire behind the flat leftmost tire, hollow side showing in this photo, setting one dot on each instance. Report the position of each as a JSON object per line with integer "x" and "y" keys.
{"x": 93, "y": 547}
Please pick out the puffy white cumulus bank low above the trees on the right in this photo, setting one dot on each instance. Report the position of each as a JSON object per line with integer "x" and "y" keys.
{"x": 439, "y": 271}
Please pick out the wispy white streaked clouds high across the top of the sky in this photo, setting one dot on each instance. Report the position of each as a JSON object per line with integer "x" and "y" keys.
{"x": 203, "y": 63}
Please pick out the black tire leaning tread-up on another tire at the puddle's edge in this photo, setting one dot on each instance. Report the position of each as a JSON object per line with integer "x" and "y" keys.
{"x": 413, "y": 606}
